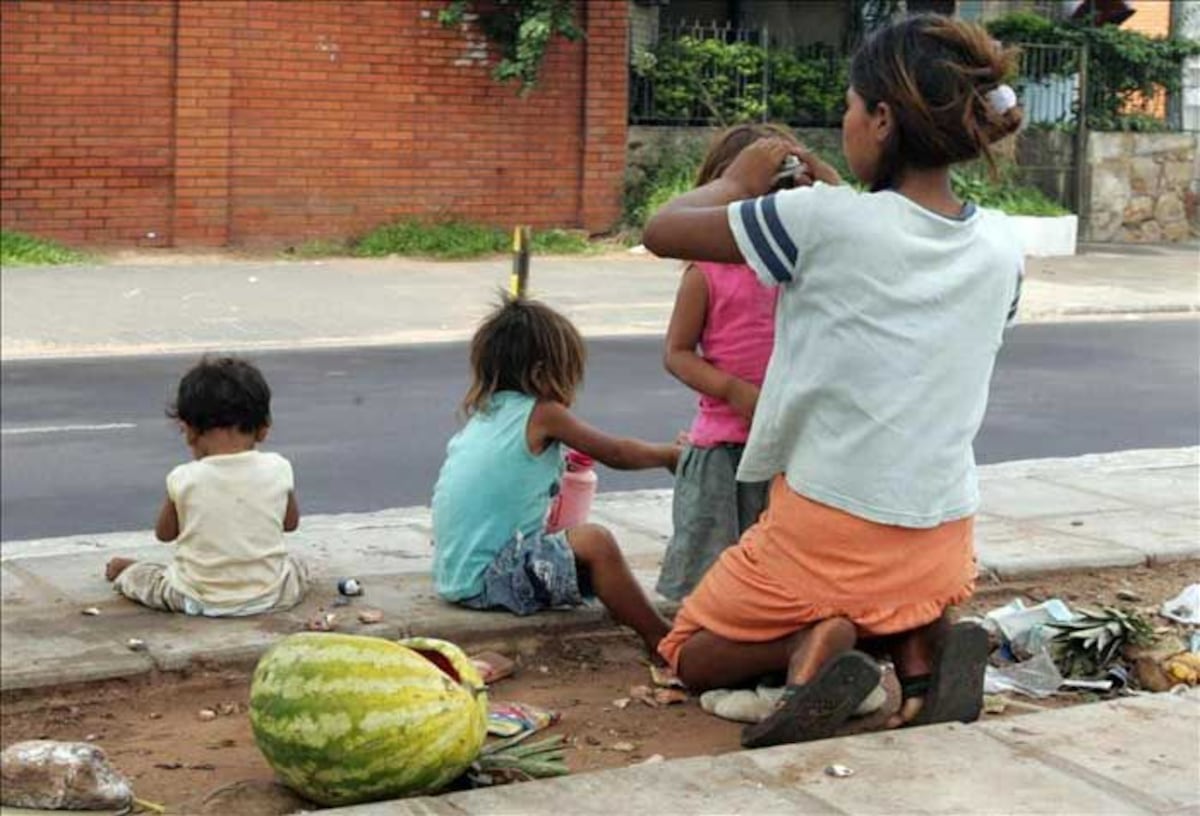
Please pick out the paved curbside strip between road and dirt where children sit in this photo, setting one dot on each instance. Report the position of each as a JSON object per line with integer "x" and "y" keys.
{"x": 1102, "y": 511}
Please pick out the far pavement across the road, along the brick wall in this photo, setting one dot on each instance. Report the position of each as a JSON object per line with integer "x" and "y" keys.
{"x": 153, "y": 304}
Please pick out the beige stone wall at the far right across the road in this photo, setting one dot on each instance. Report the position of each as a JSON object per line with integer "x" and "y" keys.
{"x": 1144, "y": 188}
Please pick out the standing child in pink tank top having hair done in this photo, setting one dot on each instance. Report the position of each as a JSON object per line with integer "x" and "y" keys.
{"x": 718, "y": 344}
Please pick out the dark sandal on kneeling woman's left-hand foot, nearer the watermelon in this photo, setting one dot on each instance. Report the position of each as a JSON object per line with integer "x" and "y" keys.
{"x": 817, "y": 710}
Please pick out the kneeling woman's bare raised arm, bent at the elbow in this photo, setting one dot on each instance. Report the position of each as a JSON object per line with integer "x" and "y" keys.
{"x": 695, "y": 227}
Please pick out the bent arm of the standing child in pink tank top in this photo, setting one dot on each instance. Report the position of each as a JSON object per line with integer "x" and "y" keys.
{"x": 683, "y": 337}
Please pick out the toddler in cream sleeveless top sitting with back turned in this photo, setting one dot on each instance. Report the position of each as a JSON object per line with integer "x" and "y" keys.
{"x": 227, "y": 511}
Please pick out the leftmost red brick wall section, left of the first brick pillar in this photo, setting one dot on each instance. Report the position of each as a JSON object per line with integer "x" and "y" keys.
{"x": 86, "y": 124}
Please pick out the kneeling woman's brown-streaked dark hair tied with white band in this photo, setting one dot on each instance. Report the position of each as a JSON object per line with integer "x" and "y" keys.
{"x": 935, "y": 74}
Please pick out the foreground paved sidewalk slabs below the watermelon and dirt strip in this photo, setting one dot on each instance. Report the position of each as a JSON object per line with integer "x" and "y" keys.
{"x": 1127, "y": 757}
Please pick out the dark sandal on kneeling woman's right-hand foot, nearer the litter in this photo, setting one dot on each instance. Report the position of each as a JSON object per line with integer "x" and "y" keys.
{"x": 953, "y": 692}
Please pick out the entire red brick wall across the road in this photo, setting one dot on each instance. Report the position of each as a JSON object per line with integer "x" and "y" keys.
{"x": 269, "y": 122}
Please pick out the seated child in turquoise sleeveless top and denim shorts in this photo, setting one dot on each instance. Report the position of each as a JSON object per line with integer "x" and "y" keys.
{"x": 503, "y": 469}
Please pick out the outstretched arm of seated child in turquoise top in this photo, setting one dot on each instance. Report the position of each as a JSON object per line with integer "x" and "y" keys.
{"x": 554, "y": 421}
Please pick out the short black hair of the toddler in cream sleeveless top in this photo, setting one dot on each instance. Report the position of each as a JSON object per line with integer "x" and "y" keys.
{"x": 224, "y": 393}
